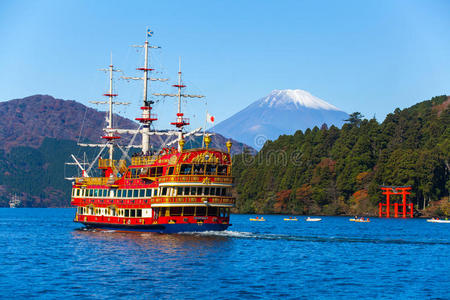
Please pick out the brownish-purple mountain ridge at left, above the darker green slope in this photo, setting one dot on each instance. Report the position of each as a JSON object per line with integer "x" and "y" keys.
{"x": 27, "y": 121}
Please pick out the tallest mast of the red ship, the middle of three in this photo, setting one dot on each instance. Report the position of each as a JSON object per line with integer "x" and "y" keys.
{"x": 147, "y": 117}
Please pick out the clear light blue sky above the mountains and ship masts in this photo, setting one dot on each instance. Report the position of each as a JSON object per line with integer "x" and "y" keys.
{"x": 367, "y": 56}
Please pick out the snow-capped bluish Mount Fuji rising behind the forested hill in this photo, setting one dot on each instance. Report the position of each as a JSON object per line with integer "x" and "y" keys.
{"x": 281, "y": 112}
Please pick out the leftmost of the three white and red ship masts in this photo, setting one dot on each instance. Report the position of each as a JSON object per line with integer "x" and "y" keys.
{"x": 110, "y": 136}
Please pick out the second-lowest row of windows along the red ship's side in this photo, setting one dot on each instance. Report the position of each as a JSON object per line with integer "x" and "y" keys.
{"x": 145, "y": 193}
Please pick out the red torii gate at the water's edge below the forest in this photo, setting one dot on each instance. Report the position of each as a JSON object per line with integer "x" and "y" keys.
{"x": 395, "y": 190}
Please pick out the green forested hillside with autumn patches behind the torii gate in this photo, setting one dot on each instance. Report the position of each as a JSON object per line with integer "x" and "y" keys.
{"x": 339, "y": 171}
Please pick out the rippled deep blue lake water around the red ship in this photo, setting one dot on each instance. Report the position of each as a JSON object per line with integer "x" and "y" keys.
{"x": 43, "y": 254}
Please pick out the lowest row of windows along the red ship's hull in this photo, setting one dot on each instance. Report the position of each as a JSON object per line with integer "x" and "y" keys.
{"x": 160, "y": 211}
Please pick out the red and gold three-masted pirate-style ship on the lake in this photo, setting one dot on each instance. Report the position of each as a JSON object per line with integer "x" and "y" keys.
{"x": 170, "y": 190}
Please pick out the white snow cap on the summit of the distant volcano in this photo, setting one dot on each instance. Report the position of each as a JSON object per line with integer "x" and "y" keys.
{"x": 285, "y": 98}
